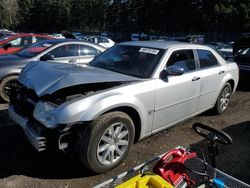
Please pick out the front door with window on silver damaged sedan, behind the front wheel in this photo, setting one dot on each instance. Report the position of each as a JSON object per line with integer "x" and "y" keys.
{"x": 177, "y": 97}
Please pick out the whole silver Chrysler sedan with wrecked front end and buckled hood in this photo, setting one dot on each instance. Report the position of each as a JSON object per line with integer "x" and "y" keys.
{"x": 127, "y": 93}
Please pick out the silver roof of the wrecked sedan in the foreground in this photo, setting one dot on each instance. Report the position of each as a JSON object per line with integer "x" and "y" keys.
{"x": 161, "y": 44}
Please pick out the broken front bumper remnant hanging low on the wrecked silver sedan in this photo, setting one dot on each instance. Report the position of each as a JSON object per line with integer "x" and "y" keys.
{"x": 39, "y": 142}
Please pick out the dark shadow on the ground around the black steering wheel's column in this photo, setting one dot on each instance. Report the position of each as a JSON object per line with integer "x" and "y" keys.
{"x": 233, "y": 159}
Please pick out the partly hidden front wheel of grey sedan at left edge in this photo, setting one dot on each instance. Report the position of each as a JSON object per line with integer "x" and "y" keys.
{"x": 5, "y": 86}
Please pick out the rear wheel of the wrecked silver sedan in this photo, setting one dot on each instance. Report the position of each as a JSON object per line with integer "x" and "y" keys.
{"x": 223, "y": 99}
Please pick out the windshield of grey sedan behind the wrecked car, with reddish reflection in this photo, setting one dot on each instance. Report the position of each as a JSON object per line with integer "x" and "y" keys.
{"x": 35, "y": 49}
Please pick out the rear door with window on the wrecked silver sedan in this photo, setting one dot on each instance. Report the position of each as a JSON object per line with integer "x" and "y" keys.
{"x": 211, "y": 74}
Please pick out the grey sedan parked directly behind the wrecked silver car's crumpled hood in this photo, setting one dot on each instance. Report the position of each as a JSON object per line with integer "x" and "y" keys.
{"x": 59, "y": 50}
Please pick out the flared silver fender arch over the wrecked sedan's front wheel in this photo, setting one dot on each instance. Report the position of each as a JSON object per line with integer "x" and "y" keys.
{"x": 90, "y": 108}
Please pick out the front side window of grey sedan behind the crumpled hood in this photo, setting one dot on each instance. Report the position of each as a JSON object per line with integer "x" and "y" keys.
{"x": 67, "y": 50}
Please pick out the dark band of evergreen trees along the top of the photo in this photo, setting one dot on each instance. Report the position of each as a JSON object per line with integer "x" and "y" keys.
{"x": 126, "y": 16}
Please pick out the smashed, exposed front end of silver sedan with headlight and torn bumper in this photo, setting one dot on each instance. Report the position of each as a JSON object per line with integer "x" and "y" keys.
{"x": 38, "y": 115}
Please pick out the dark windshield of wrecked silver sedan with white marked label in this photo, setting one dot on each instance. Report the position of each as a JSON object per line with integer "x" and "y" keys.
{"x": 135, "y": 61}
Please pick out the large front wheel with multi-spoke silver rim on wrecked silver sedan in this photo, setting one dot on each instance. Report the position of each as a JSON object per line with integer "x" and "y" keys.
{"x": 112, "y": 134}
